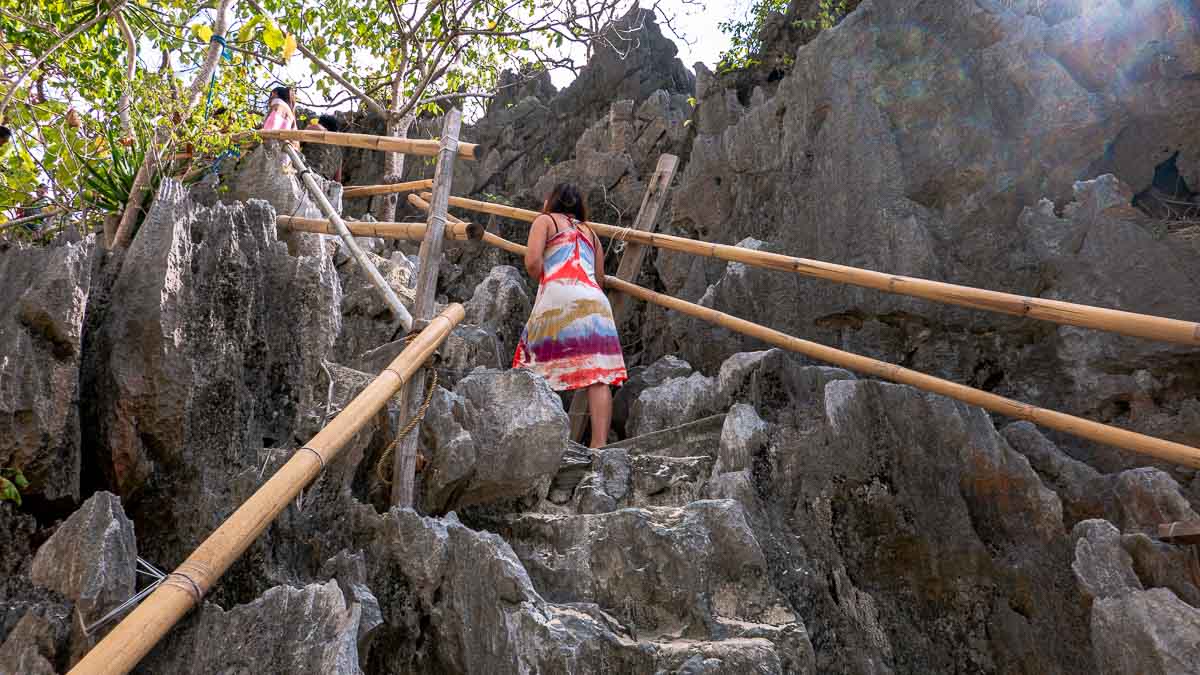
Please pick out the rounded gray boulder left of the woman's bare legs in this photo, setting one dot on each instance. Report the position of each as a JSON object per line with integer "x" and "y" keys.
{"x": 501, "y": 435}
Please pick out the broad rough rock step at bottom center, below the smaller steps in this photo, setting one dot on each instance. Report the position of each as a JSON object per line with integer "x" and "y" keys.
{"x": 665, "y": 574}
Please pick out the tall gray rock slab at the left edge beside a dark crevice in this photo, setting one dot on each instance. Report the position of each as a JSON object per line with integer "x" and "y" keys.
{"x": 44, "y": 295}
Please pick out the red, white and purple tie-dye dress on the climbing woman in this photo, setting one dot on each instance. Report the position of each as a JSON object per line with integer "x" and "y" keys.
{"x": 571, "y": 338}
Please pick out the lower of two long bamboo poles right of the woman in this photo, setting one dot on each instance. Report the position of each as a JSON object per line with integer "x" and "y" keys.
{"x": 1079, "y": 427}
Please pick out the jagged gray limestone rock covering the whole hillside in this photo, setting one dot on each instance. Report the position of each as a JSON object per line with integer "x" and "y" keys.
{"x": 759, "y": 513}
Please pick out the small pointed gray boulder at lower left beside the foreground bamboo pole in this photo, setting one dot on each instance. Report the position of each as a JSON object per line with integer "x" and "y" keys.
{"x": 92, "y": 558}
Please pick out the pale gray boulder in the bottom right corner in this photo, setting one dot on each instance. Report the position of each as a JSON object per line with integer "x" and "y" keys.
{"x": 1151, "y": 632}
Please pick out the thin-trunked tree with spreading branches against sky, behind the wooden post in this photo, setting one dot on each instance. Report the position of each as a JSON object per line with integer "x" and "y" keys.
{"x": 406, "y": 58}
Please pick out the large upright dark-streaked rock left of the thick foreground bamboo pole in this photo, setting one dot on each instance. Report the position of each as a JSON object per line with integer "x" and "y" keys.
{"x": 211, "y": 351}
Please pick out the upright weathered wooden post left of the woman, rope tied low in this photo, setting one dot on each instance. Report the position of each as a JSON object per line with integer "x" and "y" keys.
{"x": 405, "y": 461}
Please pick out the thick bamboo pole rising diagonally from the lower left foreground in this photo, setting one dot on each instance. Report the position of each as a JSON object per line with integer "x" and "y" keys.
{"x": 141, "y": 631}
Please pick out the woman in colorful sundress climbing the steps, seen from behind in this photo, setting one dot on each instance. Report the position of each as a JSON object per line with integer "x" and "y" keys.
{"x": 572, "y": 339}
